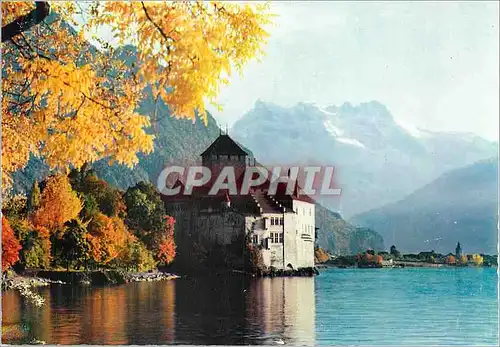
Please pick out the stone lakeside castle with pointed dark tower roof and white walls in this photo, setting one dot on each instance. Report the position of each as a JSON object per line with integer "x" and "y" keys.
{"x": 281, "y": 225}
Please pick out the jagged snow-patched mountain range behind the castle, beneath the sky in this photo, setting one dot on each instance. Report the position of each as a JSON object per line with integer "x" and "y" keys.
{"x": 377, "y": 160}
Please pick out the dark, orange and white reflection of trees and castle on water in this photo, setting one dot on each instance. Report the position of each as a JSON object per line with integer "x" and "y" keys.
{"x": 224, "y": 310}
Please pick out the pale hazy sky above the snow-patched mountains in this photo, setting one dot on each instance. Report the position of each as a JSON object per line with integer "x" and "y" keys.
{"x": 434, "y": 65}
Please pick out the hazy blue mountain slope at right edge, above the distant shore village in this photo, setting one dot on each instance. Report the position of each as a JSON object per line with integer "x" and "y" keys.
{"x": 461, "y": 205}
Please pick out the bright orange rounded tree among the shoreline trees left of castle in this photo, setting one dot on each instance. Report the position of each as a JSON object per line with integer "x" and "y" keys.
{"x": 58, "y": 203}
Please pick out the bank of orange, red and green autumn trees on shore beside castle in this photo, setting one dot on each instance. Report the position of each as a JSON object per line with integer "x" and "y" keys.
{"x": 50, "y": 231}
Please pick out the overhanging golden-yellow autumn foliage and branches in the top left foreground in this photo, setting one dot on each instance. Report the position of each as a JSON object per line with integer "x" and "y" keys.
{"x": 71, "y": 103}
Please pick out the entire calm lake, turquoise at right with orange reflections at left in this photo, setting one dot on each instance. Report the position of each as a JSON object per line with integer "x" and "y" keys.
{"x": 446, "y": 306}
